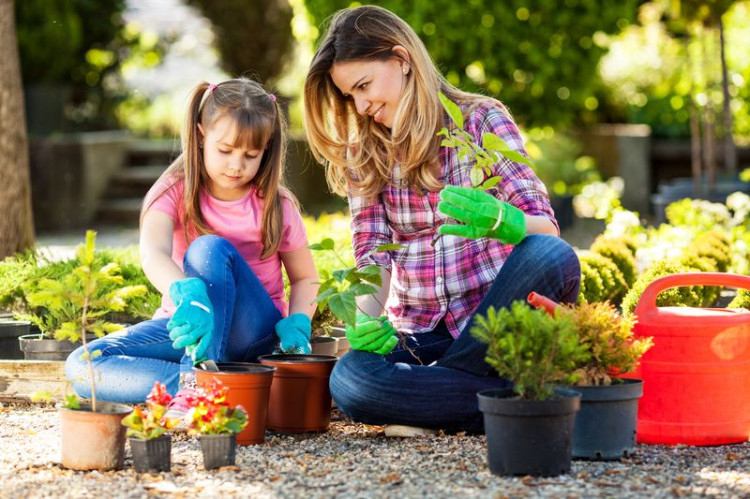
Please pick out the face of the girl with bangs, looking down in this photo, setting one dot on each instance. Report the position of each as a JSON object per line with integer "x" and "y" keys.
{"x": 230, "y": 169}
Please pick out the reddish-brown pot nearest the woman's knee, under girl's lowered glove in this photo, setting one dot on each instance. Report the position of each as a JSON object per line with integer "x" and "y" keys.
{"x": 300, "y": 397}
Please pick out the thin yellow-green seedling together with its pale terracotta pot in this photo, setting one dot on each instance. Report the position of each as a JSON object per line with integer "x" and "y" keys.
{"x": 92, "y": 434}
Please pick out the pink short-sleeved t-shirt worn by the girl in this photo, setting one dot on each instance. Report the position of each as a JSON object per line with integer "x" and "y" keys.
{"x": 239, "y": 222}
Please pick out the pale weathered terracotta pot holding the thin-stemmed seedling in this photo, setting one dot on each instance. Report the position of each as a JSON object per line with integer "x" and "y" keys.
{"x": 93, "y": 440}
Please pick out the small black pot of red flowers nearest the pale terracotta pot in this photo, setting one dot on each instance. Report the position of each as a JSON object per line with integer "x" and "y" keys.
{"x": 150, "y": 443}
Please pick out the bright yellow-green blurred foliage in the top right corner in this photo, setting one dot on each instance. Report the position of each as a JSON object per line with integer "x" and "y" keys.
{"x": 648, "y": 78}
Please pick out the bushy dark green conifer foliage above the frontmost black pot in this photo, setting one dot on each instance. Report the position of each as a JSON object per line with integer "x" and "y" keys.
{"x": 531, "y": 348}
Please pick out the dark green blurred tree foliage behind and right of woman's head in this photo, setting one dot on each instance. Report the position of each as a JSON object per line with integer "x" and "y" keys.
{"x": 540, "y": 58}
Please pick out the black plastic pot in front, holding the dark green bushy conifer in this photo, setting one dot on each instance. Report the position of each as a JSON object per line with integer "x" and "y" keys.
{"x": 529, "y": 437}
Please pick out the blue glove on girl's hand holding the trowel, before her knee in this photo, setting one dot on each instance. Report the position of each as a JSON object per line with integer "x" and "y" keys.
{"x": 193, "y": 321}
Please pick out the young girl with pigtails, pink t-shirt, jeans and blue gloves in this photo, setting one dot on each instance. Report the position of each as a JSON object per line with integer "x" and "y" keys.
{"x": 216, "y": 229}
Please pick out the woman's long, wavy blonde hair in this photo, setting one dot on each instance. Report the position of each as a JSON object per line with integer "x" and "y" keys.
{"x": 357, "y": 151}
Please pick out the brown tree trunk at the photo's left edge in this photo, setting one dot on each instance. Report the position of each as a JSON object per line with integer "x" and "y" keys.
{"x": 16, "y": 222}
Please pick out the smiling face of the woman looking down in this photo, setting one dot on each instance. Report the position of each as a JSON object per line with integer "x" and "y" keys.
{"x": 375, "y": 87}
